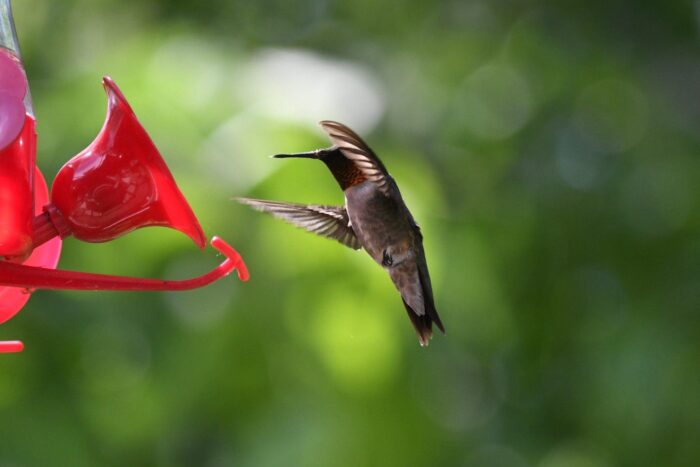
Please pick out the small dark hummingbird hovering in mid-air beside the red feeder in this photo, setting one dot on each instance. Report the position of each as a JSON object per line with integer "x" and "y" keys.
{"x": 374, "y": 217}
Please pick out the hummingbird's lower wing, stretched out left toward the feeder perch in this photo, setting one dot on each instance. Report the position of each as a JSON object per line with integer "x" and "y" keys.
{"x": 327, "y": 221}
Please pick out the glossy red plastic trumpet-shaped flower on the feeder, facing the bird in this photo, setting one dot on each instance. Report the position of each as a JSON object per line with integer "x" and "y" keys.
{"x": 117, "y": 184}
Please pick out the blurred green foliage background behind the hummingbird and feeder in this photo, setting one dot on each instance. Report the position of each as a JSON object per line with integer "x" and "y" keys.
{"x": 549, "y": 151}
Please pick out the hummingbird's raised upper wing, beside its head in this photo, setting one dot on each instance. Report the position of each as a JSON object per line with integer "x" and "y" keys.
{"x": 357, "y": 151}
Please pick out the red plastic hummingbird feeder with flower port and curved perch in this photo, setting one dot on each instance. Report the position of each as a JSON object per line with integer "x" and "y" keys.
{"x": 119, "y": 183}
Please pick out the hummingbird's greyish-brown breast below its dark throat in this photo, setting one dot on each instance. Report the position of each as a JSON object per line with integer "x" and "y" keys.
{"x": 379, "y": 222}
